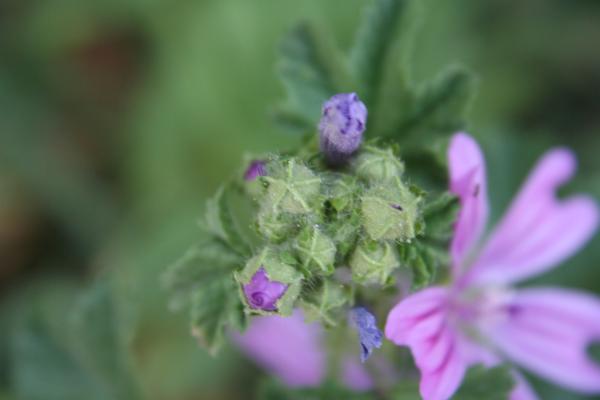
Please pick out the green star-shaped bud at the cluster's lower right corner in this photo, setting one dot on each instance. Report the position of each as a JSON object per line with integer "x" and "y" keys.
{"x": 373, "y": 263}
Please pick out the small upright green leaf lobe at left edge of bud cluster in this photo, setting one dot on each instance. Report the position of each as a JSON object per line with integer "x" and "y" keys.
{"x": 220, "y": 221}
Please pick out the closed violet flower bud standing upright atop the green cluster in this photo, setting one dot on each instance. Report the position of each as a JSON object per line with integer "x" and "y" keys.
{"x": 342, "y": 124}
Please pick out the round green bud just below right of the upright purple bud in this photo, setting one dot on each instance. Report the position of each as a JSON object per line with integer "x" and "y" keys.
{"x": 378, "y": 165}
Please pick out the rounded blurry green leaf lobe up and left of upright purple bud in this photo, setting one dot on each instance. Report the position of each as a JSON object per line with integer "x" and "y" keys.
{"x": 312, "y": 70}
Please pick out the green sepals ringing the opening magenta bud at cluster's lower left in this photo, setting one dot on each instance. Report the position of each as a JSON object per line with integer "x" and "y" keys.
{"x": 277, "y": 269}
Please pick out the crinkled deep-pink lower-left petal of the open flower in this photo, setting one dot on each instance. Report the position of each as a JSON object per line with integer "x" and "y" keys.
{"x": 420, "y": 322}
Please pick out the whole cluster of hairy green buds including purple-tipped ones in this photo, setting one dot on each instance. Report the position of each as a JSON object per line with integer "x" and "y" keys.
{"x": 352, "y": 211}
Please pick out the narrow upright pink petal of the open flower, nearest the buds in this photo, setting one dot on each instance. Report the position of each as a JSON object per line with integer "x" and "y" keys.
{"x": 468, "y": 182}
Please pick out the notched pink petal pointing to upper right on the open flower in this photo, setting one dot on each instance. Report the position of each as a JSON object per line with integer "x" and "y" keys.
{"x": 538, "y": 231}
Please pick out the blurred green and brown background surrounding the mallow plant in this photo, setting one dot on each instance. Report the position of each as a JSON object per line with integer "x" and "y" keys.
{"x": 118, "y": 118}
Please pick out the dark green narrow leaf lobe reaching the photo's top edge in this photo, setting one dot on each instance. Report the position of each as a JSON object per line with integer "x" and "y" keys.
{"x": 373, "y": 49}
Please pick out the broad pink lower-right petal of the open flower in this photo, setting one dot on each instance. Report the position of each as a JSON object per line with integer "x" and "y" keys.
{"x": 548, "y": 332}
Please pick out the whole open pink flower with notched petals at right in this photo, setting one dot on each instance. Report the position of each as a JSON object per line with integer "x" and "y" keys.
{"x": 478, "y": 318}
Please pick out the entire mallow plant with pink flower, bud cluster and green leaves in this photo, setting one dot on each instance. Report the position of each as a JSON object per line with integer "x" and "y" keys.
{"x": 326, "y": 263}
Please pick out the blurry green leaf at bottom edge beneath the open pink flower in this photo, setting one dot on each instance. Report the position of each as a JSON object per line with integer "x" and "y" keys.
{"x": 490, "y": 384}
